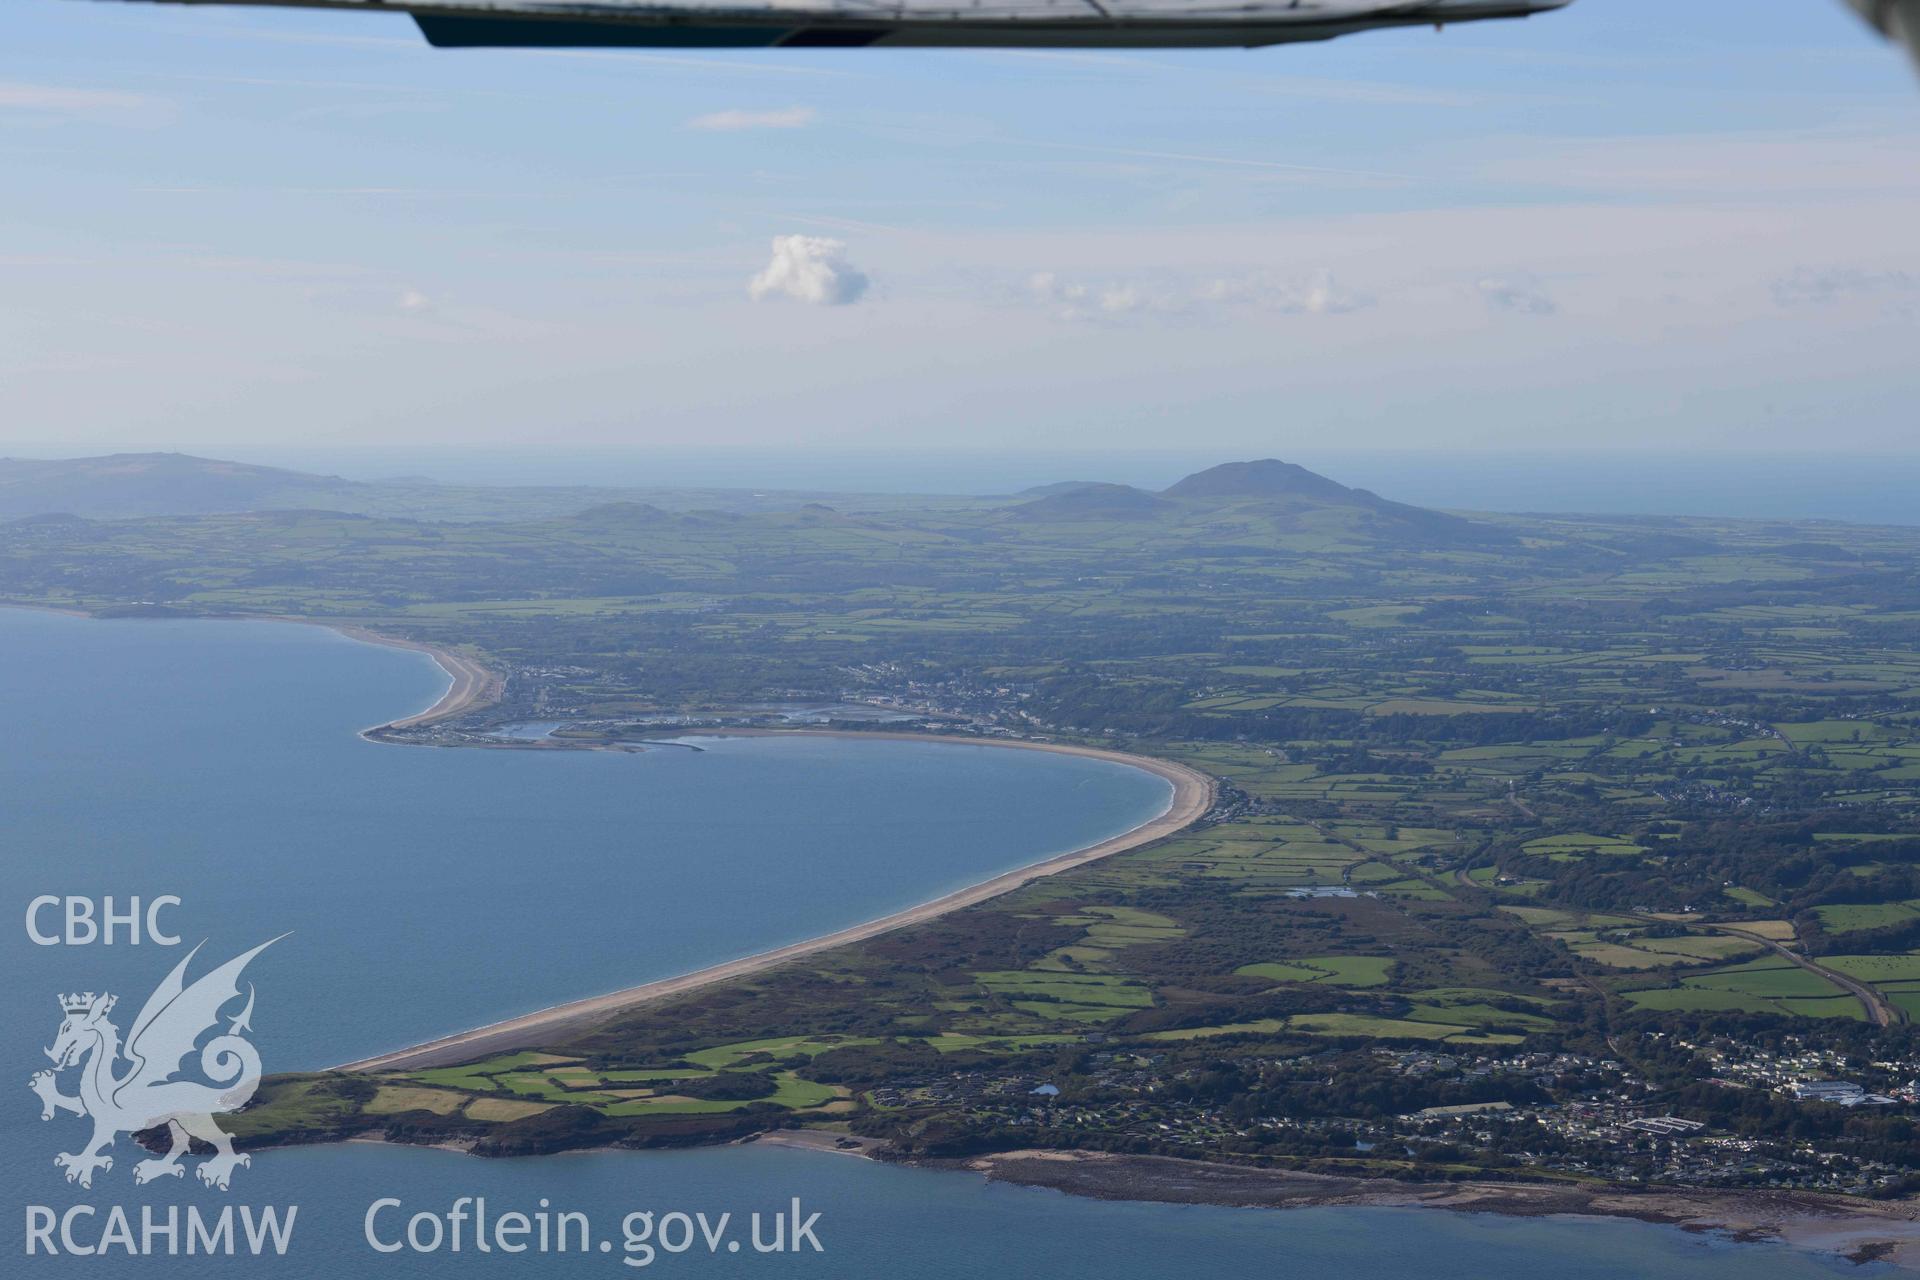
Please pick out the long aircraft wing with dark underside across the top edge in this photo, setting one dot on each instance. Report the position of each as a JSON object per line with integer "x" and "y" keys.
{"x": 930, "y": 24}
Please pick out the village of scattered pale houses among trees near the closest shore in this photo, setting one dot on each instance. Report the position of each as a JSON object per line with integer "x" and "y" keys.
{"x": 1589, "y": 1118}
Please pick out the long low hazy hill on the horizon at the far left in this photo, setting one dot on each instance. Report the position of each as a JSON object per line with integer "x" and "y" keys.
{"x": 156, "y": 485}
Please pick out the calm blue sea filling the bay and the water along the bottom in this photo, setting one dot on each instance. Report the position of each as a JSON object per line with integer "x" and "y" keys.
{"x": 420, "y": 891}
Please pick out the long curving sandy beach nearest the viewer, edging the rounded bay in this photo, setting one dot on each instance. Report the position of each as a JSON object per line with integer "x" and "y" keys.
{"x": 1193, "y": 797}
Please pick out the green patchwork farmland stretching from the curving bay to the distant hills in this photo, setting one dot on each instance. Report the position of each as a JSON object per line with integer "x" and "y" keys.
{"x": 1487, "y": 784}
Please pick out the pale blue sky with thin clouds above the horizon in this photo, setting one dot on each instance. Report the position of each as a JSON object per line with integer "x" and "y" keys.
{"x": 1631, "y": 225}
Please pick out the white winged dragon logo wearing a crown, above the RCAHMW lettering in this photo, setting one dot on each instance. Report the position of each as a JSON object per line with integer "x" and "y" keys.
{"x": 147, "y": 1095}
